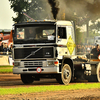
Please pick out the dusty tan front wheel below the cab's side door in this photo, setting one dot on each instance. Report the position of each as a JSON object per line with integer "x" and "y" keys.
{"x": 66, "y": 74}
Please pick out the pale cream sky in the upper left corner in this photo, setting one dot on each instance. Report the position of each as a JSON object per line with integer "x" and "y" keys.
{"x": 6, "y": 15}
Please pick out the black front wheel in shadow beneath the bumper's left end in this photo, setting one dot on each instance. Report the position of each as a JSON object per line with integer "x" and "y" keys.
{"x": 27, "y": 78}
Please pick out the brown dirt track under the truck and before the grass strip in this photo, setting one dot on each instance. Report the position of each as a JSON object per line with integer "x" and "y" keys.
{"x": 10, "y": 80}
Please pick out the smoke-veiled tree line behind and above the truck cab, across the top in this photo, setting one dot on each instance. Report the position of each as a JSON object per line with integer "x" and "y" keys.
{"x": 80, "y": 11}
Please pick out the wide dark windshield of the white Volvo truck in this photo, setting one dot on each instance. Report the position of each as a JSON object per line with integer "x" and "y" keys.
{"x": 35, "y": 34}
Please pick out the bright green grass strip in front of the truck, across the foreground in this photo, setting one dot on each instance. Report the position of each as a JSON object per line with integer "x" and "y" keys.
{"x": 21, "y": 90}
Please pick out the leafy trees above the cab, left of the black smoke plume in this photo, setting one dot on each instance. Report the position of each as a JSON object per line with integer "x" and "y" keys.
{"x": 36, "y": 9}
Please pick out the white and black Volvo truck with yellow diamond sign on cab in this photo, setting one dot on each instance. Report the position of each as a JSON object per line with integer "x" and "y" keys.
{"x": 51, "y": 53}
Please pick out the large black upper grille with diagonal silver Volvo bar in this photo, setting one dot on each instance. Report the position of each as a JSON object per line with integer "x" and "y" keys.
{"x": 27, "y": 53}
